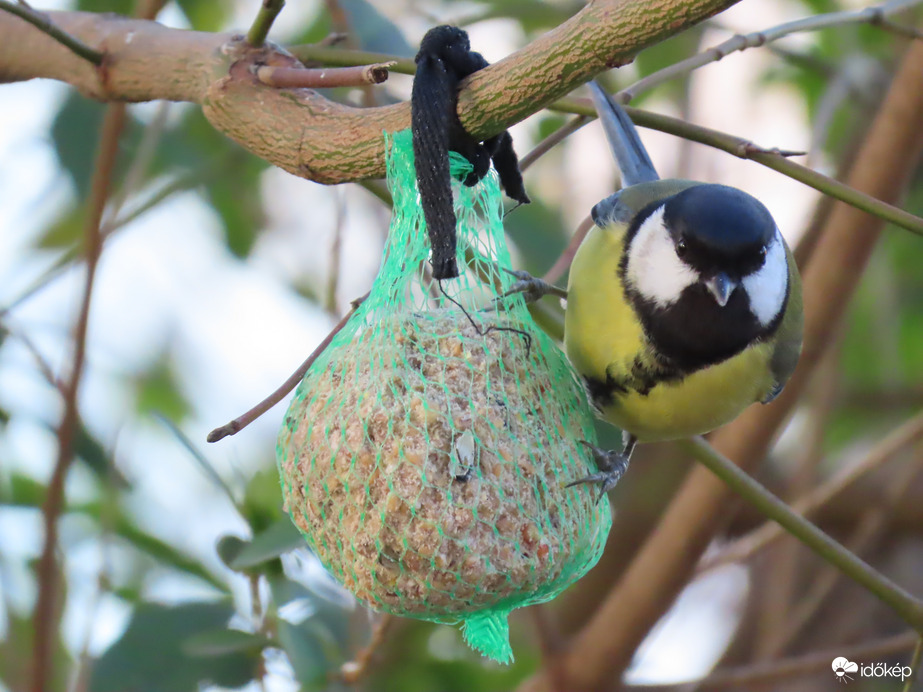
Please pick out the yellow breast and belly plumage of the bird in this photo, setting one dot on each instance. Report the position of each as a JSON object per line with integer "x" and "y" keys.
{"x": 603, "y": 338}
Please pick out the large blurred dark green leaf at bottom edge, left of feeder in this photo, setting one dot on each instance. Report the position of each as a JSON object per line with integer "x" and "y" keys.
{"x": 151, "y": 654}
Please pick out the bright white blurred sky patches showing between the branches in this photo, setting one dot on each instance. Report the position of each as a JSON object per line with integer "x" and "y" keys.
{"x": 234, "y": 330}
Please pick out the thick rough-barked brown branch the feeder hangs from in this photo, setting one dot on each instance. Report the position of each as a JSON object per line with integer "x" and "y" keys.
{"x": 301, "y": 131}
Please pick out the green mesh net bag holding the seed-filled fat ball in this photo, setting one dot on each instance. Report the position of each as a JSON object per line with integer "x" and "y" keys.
{"x": 425, "y": 453}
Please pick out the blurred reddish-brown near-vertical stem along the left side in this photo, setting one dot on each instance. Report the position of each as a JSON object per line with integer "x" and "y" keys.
{"x": 48, "y": 569}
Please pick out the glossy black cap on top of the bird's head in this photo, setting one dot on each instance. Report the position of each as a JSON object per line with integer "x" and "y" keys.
{"x": 719, "y": 229}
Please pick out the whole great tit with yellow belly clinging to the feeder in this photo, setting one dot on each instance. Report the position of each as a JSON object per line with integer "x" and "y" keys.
{"x": 683, "y": 303}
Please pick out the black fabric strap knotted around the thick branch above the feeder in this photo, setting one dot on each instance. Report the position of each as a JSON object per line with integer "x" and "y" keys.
{"x": 445, "y": 58}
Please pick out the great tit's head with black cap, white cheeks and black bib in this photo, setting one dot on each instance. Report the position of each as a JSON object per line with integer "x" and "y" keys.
{"x": 707, "y": 272}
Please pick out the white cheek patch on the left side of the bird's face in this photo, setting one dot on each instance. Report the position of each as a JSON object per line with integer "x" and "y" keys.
{"x": 653, "y": 268}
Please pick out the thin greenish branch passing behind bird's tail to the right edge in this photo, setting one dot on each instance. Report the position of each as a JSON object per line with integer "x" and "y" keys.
{"x": 770, "y": 158}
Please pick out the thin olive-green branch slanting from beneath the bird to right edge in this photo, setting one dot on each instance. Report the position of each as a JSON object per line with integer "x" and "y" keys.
{"x": 904, "y": 604}
